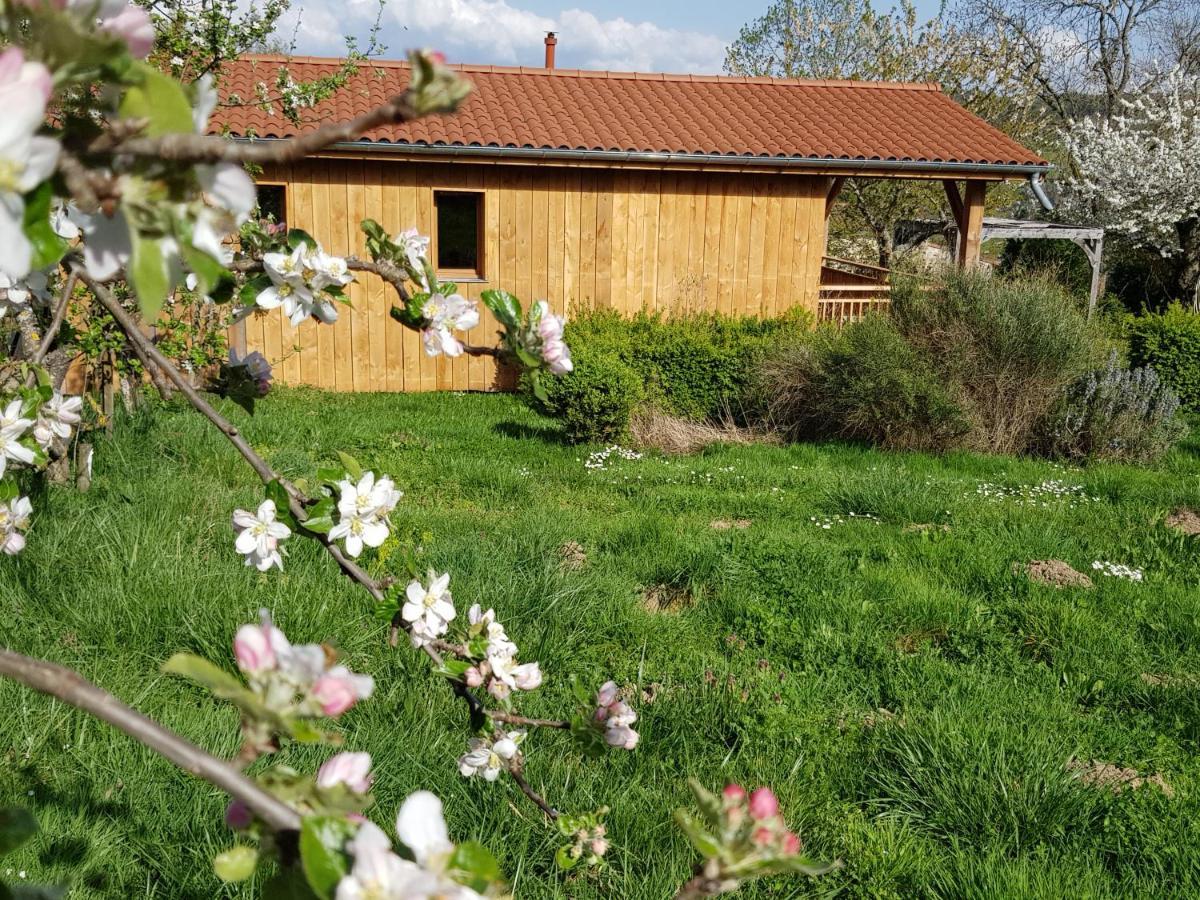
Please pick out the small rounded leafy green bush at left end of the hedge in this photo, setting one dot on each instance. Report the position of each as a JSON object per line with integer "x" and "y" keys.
{"x": 595, "y": 401}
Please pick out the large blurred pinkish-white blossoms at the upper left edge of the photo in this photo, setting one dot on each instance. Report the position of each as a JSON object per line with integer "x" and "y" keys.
{"x": 27, "y": 159}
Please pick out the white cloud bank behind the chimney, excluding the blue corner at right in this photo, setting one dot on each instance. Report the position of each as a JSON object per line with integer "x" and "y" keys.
{"x": 496, "y": 32}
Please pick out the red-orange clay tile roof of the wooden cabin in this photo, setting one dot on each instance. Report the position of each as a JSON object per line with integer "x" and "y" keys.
{"x": 703, "y": 116}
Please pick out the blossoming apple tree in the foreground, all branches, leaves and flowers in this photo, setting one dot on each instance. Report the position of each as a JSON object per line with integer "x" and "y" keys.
{"x": 109, "y": 184}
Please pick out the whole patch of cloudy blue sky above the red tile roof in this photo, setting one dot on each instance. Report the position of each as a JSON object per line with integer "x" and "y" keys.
{"x": 650, "y": 37}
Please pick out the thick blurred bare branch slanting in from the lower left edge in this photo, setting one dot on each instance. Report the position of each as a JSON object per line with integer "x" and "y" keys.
{"x": 75, "y": 691}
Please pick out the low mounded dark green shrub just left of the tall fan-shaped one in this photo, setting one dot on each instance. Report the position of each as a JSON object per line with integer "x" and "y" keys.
{"x": 866, "y": 383}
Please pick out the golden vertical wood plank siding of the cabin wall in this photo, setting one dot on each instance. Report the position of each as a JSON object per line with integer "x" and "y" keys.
{"x": 668, "y": 242}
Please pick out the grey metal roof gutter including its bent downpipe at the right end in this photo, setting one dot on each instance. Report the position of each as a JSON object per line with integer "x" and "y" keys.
{"x": 1034, "y": 172}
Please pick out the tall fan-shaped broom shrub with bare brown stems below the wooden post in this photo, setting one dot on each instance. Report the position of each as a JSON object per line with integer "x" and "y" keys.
{"x": 1005, "y": 349}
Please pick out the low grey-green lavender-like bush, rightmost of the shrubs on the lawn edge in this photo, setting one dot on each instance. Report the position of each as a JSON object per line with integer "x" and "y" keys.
{"x": 1117, "y": 413}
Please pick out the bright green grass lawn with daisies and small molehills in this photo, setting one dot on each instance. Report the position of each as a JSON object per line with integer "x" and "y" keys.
{"x": 914, "y": 703}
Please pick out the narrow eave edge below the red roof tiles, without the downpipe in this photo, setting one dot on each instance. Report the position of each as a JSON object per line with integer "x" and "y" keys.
{"x": 652, "y": 160}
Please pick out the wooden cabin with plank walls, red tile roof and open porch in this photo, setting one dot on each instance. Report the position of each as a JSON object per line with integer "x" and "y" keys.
{"x": 599, "y": 190}
